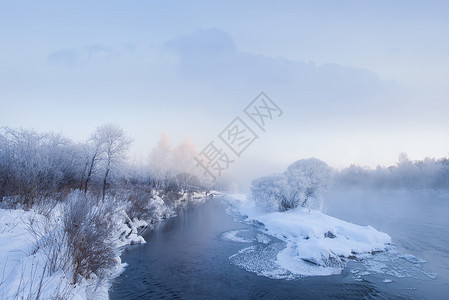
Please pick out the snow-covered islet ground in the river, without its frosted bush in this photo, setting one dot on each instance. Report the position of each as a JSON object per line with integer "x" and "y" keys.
{"x": 315, "y": 243}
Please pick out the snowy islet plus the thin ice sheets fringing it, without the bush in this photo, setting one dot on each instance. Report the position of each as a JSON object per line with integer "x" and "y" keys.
{"x": 303, "y": 242}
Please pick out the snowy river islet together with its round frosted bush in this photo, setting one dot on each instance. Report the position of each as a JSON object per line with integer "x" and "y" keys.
{"x": 287, "y": 207}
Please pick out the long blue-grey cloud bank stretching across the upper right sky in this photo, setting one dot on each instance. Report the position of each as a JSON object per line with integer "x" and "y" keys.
{"x": 210, "y": 57}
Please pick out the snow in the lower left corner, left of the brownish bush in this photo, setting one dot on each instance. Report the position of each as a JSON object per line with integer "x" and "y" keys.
{"x": 22, "y": 265}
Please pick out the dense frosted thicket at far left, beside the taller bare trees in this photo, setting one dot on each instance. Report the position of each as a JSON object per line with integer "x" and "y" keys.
{"x": 35, "y": 165}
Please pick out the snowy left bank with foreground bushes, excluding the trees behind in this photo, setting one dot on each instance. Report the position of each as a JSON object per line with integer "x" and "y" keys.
{"x": 37, "y": 258}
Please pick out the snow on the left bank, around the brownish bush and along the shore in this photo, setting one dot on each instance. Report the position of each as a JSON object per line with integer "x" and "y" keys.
{"x": 26, "y": 239}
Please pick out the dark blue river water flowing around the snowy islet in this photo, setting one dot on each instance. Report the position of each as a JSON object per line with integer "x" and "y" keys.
{"x": 187, "y": 256}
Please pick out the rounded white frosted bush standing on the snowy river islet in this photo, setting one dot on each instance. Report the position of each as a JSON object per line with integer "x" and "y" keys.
{"x": 302, "y": 184}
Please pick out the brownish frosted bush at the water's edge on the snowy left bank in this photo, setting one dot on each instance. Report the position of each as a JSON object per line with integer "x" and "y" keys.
{"x": 90, "y": 227}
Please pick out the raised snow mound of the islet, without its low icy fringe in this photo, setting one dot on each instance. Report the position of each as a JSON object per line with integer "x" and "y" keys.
{"x": 320, "y": 239}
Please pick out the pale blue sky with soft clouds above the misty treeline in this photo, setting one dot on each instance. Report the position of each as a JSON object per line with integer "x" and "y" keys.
{"x": 357, "y": 81}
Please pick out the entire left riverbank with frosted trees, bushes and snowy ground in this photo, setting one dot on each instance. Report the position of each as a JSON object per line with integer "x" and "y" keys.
{"x": 67, "y": 209}
